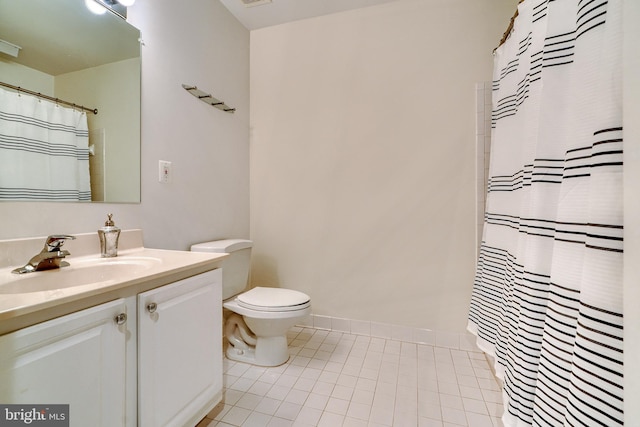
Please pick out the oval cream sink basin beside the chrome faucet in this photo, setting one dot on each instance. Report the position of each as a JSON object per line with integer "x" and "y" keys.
{"x": 81, "y": 272}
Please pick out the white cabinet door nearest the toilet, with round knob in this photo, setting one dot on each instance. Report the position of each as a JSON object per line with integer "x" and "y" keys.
{"x": 180, "y": 351}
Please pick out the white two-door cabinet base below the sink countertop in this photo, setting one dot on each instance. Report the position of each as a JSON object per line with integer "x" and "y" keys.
{"x": 147, "y": 359}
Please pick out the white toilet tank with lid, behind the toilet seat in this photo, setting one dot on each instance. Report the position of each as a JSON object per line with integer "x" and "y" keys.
{"x": 235, "y": 268}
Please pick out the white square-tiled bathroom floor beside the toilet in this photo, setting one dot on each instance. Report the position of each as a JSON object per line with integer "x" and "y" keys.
{"x": 338, "y": 379}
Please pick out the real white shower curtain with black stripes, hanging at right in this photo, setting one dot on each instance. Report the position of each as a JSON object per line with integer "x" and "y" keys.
{"x": 547, "y": 297}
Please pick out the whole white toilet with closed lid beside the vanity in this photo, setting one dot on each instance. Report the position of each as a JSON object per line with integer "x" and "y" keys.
{"x": 256, "y": 329}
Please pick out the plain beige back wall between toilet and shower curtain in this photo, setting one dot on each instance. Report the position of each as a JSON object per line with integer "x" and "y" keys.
{"x": 363, "y": 157}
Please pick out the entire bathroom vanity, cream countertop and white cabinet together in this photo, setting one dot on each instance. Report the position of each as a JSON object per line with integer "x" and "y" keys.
{"x": 125, "y": 341}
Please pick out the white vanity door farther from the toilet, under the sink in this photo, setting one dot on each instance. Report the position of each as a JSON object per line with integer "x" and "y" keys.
{"x": 77, "y": 359}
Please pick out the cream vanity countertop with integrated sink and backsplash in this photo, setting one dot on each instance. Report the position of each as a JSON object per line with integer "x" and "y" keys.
{"x": 136, "y": 269}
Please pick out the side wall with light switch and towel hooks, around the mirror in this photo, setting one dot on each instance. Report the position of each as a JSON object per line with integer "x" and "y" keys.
{"x": 209, "y": 197}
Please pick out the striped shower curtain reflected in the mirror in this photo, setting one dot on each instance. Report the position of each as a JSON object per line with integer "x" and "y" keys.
{"x": 44, "y": 153}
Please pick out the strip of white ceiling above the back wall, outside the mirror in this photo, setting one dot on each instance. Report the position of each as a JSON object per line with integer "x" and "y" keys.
{"x": 281, "y": 11}
